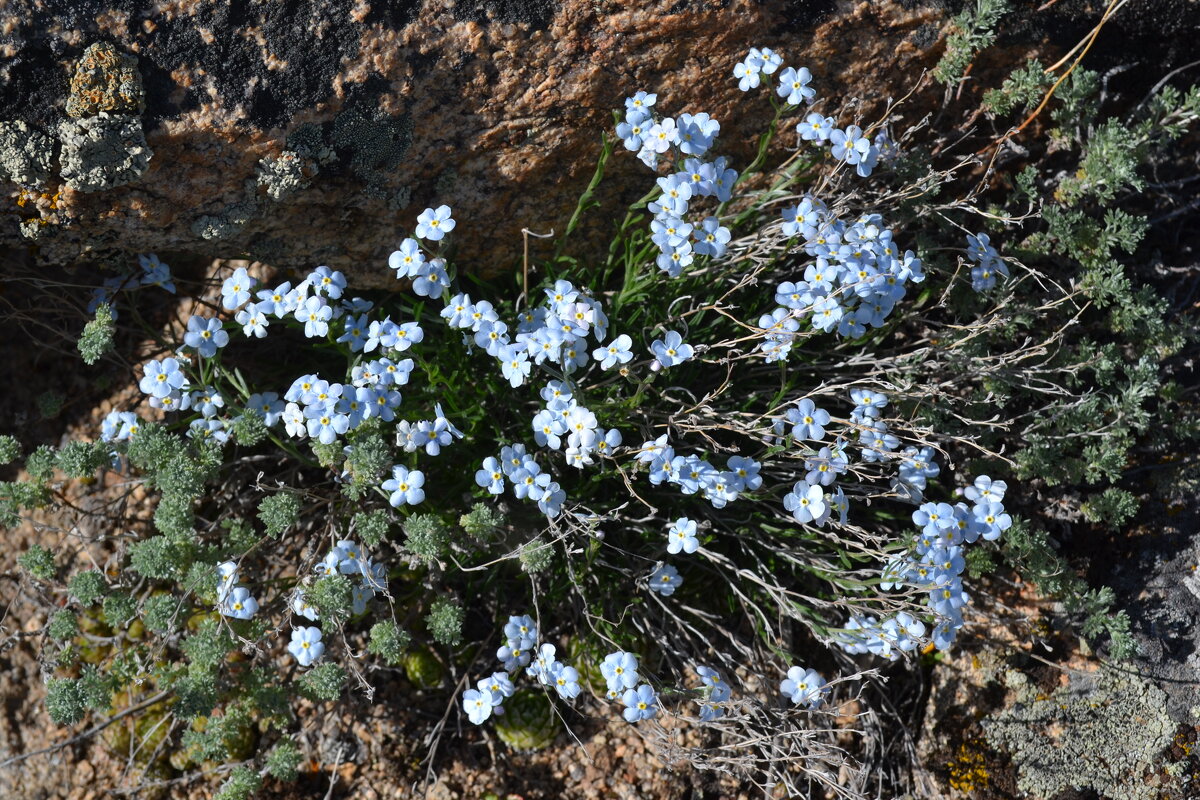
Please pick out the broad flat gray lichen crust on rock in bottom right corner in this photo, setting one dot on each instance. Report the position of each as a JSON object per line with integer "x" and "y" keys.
{"x": 1102, "y": 732}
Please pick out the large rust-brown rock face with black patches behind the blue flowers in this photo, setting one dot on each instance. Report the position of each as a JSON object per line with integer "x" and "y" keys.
{"x": 315, "y": 131}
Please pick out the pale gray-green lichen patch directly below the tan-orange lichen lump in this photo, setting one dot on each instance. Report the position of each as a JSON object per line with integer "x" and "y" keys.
{"x": 103, "y": 152}
